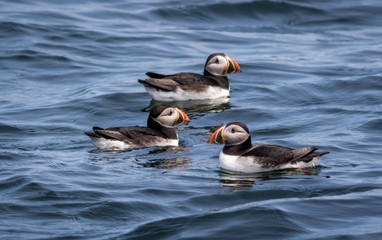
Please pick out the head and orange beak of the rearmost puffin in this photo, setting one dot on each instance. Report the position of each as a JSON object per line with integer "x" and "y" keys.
{"x": 219, "y": 64}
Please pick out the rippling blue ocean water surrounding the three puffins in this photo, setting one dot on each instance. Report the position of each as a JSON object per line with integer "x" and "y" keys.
{"x": 311, "y": 76}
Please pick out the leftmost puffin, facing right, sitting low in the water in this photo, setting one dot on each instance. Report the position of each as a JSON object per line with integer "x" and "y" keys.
{"x": 159, "y": 131}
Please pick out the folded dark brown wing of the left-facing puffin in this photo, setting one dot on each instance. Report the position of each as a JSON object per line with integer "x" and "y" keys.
{"x": 271, "y": 155}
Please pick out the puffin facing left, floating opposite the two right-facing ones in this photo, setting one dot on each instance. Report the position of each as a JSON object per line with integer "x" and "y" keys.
{"x": 239, "y": 155}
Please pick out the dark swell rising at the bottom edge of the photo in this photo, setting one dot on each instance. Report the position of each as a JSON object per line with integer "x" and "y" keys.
{"x": 268, "y": 221}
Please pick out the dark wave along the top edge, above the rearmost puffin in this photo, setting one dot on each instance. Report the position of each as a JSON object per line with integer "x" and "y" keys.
{"x": 235, "y": 13}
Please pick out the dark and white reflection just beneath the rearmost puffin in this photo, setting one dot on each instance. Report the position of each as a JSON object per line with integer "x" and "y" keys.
{"x": 197, "y": 106}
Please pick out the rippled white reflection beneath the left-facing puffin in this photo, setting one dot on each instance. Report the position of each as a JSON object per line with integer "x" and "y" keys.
{"x": 240, "y": 181}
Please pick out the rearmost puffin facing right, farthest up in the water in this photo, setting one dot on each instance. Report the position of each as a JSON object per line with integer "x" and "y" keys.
{"x": 192, "y": 86}
